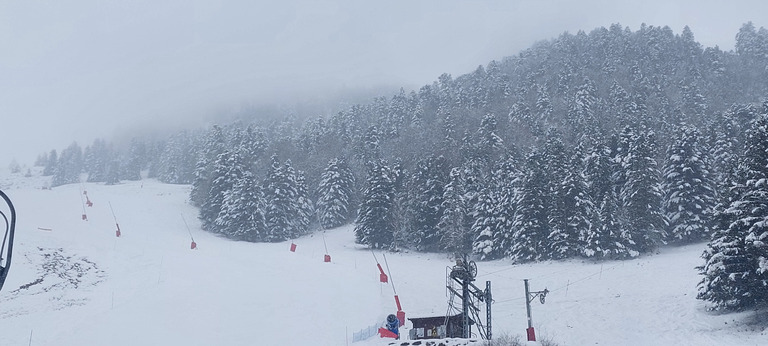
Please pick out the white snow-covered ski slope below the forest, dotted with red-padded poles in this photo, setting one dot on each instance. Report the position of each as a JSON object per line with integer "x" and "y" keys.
{"x": 74, "y": 282}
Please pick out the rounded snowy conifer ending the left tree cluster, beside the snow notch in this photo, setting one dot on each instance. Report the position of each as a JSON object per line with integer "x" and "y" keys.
{"x": 334, "y": 194}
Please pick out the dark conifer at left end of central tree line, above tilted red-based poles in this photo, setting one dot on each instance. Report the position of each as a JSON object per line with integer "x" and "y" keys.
{"x": 374, "y": 225}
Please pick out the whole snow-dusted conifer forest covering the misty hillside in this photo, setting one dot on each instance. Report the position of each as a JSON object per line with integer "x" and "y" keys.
{"x": 602, "y": 145}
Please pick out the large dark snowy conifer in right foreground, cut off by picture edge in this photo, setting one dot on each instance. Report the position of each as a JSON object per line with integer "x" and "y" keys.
{"x": 736, "y": 260}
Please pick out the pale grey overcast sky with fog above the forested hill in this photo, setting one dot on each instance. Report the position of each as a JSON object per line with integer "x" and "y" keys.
{"x": 79, "y": 70}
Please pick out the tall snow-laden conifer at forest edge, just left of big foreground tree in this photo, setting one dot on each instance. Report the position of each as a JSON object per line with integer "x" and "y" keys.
{"x": 688, "y": 193}
